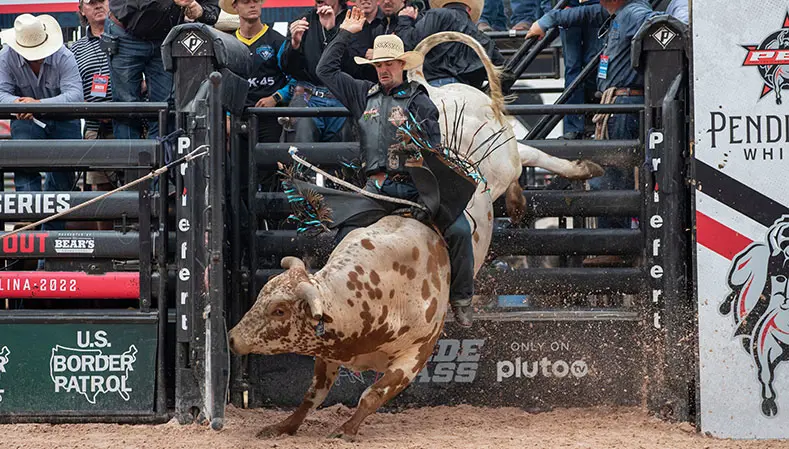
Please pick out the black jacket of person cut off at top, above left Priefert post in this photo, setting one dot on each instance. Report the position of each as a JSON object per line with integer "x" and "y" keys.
{"x": 152, "y": 19}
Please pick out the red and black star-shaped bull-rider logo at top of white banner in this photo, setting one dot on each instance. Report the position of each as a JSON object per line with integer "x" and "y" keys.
{"x": 771, "y": 57}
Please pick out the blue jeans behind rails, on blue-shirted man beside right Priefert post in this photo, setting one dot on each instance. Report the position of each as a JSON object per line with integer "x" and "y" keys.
{"x": 620, "y": 127}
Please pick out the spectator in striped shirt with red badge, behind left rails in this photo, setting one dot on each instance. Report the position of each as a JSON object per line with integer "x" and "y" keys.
{"x": 94, "y": 69}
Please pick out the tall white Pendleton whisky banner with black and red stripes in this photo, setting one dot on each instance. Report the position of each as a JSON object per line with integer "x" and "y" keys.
{"x": 741, "y": 62}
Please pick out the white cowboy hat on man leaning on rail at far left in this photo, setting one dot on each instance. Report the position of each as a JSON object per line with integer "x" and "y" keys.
{"x": 34, "y": 38}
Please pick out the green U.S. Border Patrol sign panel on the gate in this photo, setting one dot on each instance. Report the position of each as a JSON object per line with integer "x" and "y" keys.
{"x": 85, "y": 369}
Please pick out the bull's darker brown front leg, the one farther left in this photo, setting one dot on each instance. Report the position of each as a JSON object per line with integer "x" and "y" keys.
{"x": 322, "y": 381}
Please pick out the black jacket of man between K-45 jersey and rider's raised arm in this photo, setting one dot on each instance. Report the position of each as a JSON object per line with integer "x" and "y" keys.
{"x": 302, "y": 63}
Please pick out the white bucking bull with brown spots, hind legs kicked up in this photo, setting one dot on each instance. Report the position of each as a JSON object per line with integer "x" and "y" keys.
{"x": 380, "y": 301}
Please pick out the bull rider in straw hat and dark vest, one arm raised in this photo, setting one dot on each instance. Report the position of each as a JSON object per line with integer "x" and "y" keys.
{"x": 381, "y": 111}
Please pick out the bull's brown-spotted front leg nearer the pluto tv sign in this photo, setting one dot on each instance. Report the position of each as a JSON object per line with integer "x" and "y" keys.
{"x": 399, "y": 374}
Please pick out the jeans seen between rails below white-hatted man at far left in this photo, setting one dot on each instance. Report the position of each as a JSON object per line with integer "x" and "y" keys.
{"x": 30, "y": 181}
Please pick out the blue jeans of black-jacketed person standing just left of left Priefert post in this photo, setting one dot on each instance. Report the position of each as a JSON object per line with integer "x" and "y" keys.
{"x": 135, "y": 57}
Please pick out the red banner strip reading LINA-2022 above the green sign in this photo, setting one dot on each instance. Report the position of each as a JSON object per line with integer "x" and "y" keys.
{"x": 70, "y": 285}
